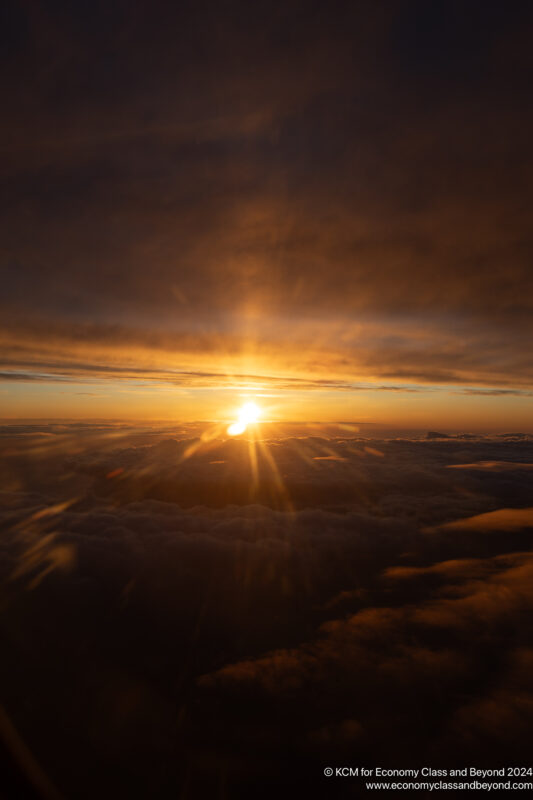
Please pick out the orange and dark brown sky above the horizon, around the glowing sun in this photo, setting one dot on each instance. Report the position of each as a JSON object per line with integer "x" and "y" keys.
{"x": 321, "y": 207}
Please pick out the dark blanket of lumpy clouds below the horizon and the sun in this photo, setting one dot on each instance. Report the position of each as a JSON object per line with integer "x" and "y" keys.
{"x": 153, "y": 632}
